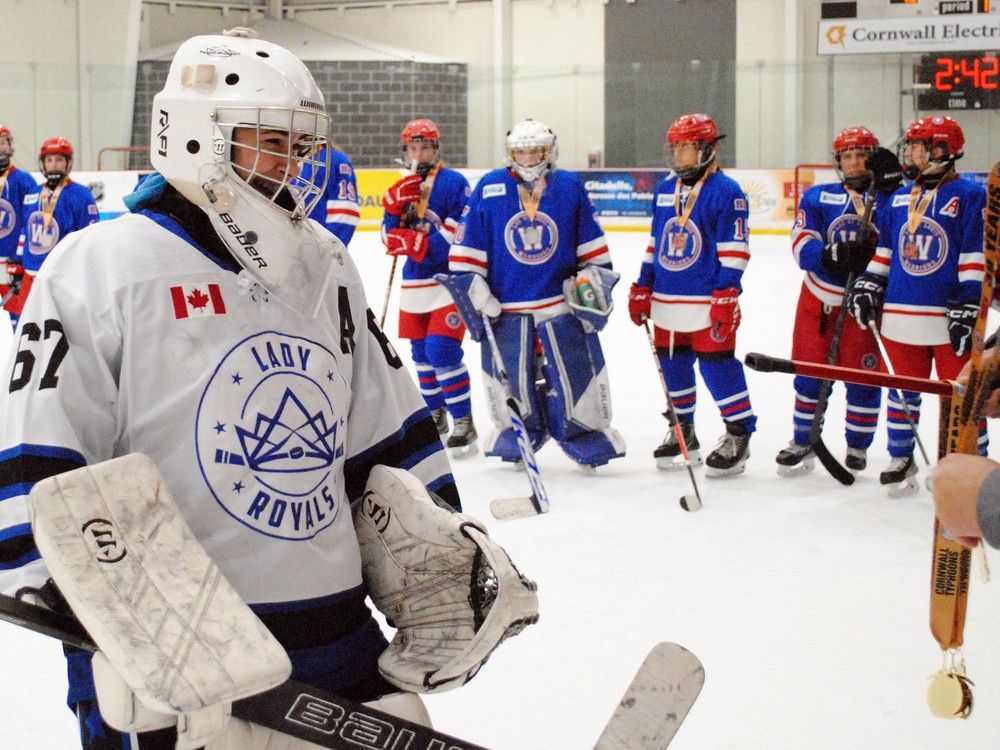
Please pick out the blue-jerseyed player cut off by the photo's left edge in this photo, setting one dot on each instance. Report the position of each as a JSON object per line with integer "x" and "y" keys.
{"x": 14, "y": 185}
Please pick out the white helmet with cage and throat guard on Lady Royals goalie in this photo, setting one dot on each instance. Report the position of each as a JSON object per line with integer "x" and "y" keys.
{"x": 237, "y": 119}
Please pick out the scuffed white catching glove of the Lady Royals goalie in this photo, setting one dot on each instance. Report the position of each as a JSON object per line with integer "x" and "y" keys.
{"x": 453, "y": 593}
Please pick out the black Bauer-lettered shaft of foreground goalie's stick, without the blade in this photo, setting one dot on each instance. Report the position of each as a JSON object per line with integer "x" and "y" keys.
{"x": 302, "y": 711}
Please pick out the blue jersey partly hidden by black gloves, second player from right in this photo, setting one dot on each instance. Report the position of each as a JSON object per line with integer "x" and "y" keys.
{"x": 826, "y": 213}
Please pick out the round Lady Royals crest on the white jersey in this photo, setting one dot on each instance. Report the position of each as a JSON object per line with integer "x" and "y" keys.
{"x": 270, "y": 435}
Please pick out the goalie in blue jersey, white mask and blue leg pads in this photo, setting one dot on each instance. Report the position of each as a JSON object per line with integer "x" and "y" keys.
{"x": 529, "y": 239}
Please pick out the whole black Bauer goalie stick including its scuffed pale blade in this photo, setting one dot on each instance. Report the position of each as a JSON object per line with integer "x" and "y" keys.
{"x": 647, "y": 718}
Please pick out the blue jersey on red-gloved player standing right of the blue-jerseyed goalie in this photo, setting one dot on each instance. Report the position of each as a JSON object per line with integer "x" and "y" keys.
{"x": 686, "y": 260}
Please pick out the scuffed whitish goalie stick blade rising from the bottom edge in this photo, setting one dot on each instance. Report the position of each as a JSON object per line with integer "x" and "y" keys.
{"x": 656, "y": 702}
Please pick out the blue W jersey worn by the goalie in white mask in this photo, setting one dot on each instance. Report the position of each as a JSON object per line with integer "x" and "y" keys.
{"x": 526, "y": 260}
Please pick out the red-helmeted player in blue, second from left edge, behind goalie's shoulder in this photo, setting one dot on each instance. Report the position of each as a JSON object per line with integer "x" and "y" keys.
{"x": 53, "y": 210}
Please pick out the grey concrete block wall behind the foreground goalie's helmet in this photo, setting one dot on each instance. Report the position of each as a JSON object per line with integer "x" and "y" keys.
{"x": 368, "y": 101}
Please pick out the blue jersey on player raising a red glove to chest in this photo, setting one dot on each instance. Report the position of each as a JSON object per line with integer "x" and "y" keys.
{"x": 419, "y": 292}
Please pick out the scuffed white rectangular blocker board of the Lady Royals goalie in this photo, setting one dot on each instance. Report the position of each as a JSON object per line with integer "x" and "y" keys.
{"x": 147, "y": 592}
